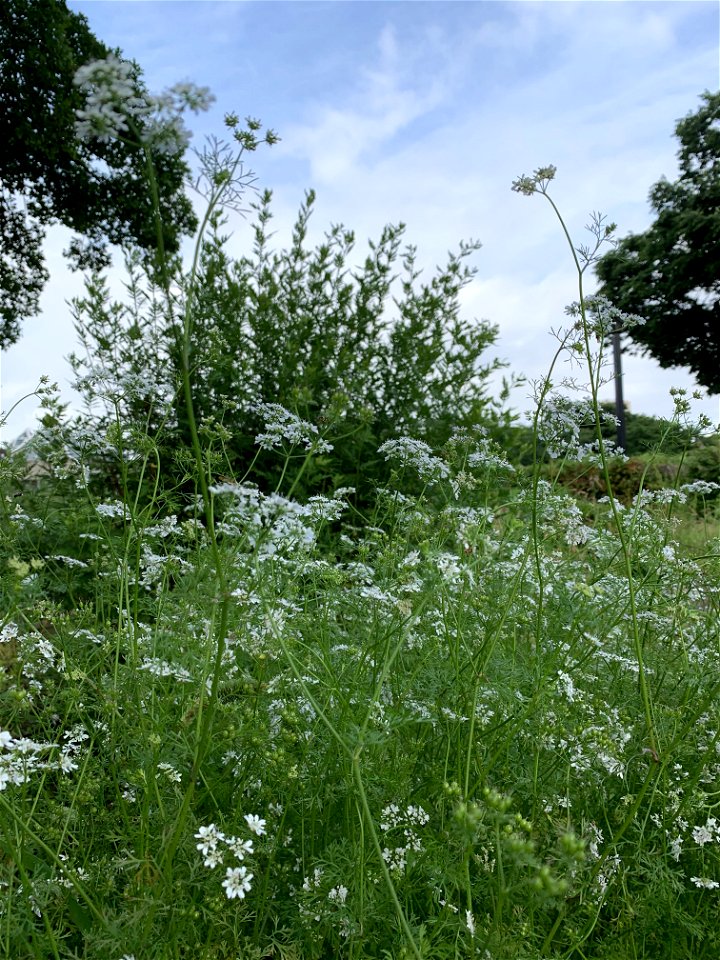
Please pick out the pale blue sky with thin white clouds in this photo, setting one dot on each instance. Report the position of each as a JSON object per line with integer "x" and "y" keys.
{"x": 425, "y": 112}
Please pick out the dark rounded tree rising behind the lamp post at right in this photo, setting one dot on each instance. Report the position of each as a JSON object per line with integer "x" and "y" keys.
{"x": 670, "y": 275}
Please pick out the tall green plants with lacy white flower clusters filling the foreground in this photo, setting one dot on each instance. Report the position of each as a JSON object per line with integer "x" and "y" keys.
{"x": 471, "y": 722}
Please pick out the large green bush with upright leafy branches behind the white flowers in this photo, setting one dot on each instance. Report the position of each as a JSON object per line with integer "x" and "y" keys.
{"x": 367, "y": 353}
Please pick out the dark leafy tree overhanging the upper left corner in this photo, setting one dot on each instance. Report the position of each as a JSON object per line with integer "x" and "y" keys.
{"x": 97, "y": 186}
